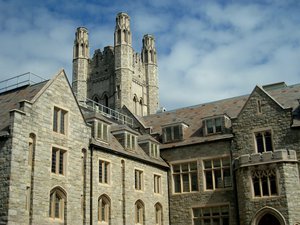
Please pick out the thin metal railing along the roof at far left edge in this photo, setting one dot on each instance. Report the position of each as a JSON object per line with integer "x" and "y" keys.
{"x": 19, "y": 81}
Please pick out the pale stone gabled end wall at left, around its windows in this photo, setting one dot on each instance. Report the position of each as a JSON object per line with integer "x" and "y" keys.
{"x": 41, "y": 112}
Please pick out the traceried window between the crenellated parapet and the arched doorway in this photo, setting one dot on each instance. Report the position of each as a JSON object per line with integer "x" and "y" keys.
{"x": 264, "y": 183}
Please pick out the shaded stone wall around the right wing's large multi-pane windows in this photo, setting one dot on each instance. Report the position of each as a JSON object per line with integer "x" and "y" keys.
{"x": 181, "y": 204}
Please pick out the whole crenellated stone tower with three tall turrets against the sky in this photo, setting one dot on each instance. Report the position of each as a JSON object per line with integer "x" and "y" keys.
{"x": 118, "y": 76}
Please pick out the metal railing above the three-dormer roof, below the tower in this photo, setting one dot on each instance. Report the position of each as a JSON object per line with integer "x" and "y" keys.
{"x": 107, "y": 112}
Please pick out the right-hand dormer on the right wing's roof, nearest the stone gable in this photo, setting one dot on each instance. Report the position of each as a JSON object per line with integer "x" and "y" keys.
{"x": 216, "y": 125}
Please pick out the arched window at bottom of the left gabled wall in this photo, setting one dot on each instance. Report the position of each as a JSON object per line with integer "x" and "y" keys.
{"x": 57, "y": 206}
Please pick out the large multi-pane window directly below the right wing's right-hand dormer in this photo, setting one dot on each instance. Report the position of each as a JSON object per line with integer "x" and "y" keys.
{"x": 217, "y": 173}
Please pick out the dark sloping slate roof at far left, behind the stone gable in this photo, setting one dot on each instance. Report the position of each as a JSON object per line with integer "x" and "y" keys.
{"x": 9, "y": 100}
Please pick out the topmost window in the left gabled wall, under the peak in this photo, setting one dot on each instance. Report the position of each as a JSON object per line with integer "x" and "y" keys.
{"x": 60, "y": 126}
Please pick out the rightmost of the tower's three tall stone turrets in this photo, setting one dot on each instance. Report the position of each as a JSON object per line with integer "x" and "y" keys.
{"x": 150, "y": 61}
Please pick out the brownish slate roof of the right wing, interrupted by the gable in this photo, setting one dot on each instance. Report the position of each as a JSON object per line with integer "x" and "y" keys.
{"x": 193, "y": 116}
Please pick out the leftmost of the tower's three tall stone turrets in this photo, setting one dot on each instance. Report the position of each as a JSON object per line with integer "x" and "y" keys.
{"x": 80, "y": 63}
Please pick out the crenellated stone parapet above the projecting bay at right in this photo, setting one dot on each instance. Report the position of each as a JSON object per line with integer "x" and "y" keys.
{"x": 281, "y": 155}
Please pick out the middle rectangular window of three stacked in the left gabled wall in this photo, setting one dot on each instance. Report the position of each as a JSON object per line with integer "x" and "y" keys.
{"x": 58, "y": 152}
